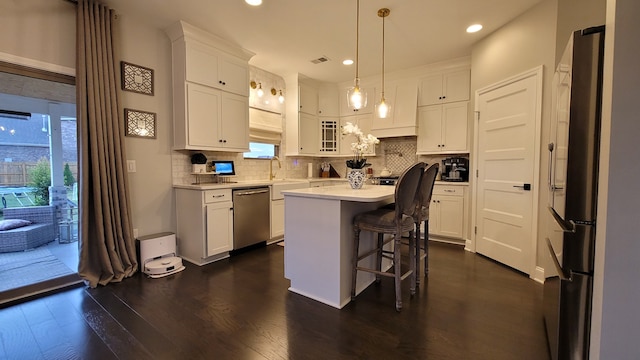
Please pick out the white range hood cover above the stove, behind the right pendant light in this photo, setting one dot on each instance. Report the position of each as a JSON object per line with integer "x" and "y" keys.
{"x": 402, "y": 121}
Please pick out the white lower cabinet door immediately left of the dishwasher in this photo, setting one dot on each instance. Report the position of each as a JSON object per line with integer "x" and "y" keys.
{"x": 219, "y": 228}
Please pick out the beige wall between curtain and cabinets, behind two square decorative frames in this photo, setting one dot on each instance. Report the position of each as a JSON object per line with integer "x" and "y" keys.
{"x": 152, "y": 200}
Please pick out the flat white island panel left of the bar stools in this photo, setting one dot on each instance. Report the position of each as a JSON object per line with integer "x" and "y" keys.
{"x": 312, "y": 248}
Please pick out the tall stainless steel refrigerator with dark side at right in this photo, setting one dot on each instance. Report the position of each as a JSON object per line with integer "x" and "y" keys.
{"x": 573, "y": 183}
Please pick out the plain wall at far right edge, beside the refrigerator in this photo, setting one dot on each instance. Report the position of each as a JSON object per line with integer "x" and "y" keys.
{"x": 616, "y": 319}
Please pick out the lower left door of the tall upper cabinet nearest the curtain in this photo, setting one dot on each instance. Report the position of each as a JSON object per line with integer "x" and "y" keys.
{"x": 203, "y": 111}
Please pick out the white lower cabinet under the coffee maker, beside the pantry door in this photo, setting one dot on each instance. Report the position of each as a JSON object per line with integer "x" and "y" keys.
{"x": 447, "y": 215}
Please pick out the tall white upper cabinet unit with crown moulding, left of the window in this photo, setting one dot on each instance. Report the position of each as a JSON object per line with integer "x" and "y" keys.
{"x": 210, "y": 91}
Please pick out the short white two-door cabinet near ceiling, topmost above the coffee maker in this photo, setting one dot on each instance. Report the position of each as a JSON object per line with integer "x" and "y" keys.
{"x": 445, "y": 87}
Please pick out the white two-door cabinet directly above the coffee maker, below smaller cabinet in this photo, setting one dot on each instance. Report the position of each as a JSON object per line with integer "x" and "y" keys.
{"x": 443, "y": 128}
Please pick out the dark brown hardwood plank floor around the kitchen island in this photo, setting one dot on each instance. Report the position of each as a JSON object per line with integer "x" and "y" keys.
{"x": 239, "y": 308}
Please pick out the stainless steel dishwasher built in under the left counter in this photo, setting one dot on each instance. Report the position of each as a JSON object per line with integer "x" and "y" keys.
{"x": 251, "y": 223}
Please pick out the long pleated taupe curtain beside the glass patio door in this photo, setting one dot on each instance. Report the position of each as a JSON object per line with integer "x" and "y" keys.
{"x": 107, "y": 246}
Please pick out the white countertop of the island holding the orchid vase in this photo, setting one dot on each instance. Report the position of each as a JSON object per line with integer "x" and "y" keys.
{"x": 368, "y": 193}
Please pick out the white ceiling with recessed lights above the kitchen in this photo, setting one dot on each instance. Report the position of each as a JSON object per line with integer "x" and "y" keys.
{"x": 287, "y": 34}
